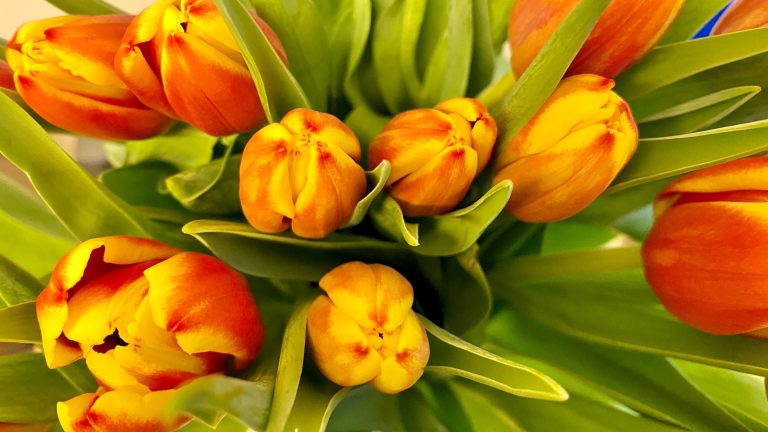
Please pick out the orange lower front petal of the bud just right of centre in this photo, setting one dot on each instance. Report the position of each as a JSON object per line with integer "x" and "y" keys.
{"x": 438, "y": 186}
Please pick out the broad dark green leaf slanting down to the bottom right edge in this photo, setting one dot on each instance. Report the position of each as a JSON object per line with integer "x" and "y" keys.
{"x": 643, "y": 382}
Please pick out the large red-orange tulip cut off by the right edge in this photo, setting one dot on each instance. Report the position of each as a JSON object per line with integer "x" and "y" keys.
{"x": 706, "y": 256}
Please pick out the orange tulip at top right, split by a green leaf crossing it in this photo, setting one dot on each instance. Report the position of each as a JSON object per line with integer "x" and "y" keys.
{"x": 626, "y": 31}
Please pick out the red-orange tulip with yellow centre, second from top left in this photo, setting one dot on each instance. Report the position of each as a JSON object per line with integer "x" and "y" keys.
{"x": 180, "y": 58}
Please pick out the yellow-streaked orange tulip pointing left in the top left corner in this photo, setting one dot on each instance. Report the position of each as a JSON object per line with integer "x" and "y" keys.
{"x": 63, "y": 69}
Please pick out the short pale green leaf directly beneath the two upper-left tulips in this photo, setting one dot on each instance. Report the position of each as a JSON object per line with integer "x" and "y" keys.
{"x": 183, "y": 147}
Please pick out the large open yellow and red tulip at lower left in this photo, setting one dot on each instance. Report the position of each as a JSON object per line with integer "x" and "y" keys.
{"x": 146, "y": 317}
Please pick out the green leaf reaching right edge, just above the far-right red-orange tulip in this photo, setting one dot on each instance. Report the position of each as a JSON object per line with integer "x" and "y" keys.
{"x": 659, "y": 158}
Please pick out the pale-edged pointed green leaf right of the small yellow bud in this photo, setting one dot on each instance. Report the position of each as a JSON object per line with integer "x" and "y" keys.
{"x": 453, "y": 356}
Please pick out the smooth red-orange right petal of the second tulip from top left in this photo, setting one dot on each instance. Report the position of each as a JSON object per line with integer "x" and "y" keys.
{"x": 199, "y": 82}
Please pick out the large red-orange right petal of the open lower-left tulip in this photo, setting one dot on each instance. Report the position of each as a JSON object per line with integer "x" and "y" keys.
{"x": 203, "y": 319}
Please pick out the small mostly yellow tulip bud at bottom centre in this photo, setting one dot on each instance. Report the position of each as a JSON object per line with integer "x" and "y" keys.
{"x": 364, "y": 330}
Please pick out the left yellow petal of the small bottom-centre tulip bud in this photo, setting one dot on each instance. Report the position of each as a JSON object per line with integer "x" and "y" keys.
{"x": 339, "y": 347}
